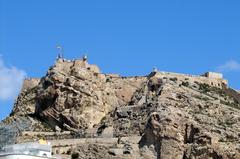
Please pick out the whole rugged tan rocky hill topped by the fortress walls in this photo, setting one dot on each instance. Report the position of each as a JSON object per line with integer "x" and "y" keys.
{"x": 87, "y": 114}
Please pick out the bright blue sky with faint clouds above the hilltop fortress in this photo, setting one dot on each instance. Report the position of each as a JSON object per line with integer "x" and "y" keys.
{"x": 125, "y": 37}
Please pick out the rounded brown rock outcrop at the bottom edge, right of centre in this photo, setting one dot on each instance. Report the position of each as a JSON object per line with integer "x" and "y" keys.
{"x": 161, "y": 139}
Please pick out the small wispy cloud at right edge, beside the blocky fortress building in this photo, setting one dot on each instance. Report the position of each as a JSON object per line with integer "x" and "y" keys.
{"x": 231, "y": 65}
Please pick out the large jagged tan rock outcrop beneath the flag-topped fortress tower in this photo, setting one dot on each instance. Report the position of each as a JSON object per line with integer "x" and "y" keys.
{"x": 76, "y": 95}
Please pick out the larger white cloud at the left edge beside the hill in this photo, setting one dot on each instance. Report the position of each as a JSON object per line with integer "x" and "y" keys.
{"x": 11, "y": 79}
